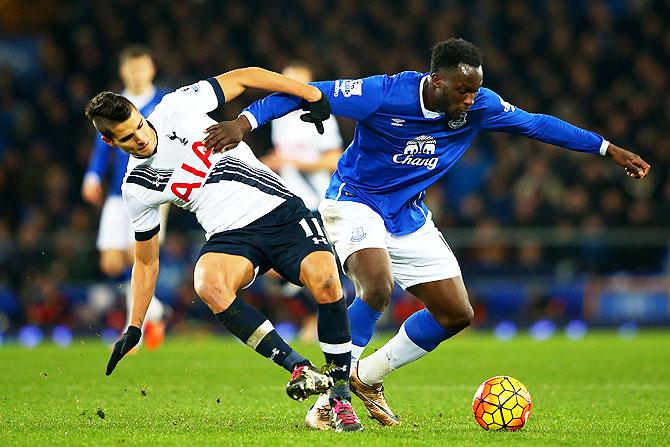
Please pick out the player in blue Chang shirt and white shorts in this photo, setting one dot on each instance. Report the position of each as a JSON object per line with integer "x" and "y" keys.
{"x": 411, "y": 129}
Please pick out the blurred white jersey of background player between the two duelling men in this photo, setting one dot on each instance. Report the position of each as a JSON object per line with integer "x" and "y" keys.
{"x": 294, "y": 139}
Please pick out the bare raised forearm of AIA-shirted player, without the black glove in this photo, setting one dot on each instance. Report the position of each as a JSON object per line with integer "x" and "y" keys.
{"x": 235, "y": 82}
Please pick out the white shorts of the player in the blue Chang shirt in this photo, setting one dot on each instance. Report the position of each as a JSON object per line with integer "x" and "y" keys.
{"x": 416, "y": 258}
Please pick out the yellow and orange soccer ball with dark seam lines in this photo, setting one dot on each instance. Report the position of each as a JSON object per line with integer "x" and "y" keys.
{"x": 501, "y": 403}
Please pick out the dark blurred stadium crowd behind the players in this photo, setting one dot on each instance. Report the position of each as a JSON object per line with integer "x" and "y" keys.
{"x": 542, "y": 234}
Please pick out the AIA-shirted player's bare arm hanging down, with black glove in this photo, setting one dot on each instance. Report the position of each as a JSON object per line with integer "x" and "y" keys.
{"x": 142, "y": 284}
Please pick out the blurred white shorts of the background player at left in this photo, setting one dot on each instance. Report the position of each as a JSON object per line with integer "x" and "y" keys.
{"x": 115, "y": 232}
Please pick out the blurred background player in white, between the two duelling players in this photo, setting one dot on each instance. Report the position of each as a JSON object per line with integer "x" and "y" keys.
{"x": 305, "y": 159}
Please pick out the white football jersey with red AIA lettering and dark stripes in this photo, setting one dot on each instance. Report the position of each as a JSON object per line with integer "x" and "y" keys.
{"x": 225, "y": 191}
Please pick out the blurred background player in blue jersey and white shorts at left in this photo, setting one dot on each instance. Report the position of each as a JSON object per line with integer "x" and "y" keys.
{"x": 115, "y": 236}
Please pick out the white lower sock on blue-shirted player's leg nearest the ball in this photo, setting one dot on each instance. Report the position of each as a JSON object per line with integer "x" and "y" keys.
{"x": 397, "y": 352}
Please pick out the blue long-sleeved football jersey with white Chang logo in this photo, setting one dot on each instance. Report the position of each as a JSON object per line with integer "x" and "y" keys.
{"x": 400, "y": 148}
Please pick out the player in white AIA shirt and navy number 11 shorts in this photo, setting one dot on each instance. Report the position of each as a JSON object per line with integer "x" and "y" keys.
{"x": 252, "y": 223}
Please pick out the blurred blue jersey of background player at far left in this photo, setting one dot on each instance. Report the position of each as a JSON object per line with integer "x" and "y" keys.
{"x": 103, "y": 159}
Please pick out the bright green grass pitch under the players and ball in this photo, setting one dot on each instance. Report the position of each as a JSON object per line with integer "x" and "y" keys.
{"x": 601, "y": 390}
